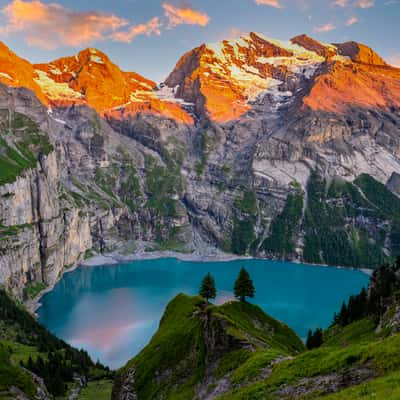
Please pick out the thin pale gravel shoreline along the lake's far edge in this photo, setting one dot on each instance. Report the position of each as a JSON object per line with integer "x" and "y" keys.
{"x": 117, "y": 257}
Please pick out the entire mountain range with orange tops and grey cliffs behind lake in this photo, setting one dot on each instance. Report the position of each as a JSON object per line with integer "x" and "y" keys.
{"x": 253, "y": 145}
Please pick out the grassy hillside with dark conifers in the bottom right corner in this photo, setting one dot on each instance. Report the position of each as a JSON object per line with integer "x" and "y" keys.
{"x": 358, "y": 356}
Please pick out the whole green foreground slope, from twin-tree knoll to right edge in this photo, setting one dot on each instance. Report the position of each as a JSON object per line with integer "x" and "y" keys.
{"x": 235, "y": 351}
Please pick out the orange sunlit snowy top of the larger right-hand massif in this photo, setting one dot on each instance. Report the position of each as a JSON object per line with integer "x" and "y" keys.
{"x": 225, "y": 80}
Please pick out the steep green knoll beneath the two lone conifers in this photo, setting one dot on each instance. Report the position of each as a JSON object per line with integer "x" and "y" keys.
{"x": 197, "y": 347}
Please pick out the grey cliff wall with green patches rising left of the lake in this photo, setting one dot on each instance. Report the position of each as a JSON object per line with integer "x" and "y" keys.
{"x": 70, "y": 184}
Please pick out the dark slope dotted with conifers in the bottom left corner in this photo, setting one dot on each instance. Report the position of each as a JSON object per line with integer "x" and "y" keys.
{"x": 34, "y": 363}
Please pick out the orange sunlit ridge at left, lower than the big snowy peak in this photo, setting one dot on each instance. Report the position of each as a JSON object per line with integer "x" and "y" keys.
{"x": 89, "y": 78}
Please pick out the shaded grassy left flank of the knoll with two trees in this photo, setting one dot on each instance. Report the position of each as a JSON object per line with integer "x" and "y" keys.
{"x": 177, "y": 346}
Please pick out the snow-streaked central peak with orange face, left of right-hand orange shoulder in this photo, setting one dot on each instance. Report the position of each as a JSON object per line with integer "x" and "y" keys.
{"x": 225, "y": 79}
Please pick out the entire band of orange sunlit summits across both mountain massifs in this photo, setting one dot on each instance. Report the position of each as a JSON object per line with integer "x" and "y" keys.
{"x": 221, "y": 81}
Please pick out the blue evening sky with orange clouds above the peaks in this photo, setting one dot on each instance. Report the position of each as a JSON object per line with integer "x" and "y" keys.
{"x": 149, "y": 36}
